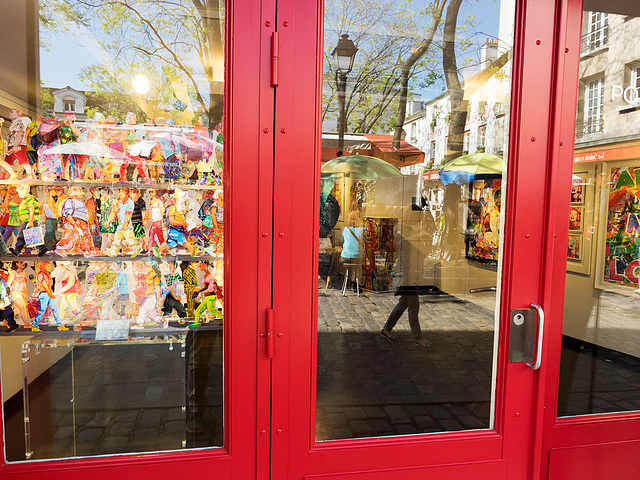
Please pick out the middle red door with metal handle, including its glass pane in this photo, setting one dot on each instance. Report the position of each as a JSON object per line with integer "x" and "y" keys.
{"x": 352, "y": 401}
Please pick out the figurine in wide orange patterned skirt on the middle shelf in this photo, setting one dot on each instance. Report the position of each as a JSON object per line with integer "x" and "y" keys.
{"x": 76, "y": 238}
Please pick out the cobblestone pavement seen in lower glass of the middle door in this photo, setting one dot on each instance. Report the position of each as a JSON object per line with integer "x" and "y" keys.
{"x": 368, "y": 386}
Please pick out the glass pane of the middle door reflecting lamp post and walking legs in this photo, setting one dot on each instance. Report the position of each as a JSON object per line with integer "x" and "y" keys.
{"x": 410, "y": 227}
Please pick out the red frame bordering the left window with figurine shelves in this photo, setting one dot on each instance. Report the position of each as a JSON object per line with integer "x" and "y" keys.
{"x": 248, "y": 249}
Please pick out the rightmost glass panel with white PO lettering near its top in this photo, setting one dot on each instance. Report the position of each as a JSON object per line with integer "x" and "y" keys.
{"x": 600, "y": 367}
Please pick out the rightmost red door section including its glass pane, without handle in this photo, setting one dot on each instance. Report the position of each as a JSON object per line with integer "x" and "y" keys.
{"x": 590, "y": 421}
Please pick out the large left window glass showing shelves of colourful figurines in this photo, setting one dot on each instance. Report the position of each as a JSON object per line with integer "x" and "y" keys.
{"x": 112, "y": 227}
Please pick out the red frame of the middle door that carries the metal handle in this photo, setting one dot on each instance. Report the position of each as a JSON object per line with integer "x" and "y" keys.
{"x": 508, "y": 450}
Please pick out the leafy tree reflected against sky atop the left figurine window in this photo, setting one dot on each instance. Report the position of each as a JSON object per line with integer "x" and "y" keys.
{"x": 159, "y": 38}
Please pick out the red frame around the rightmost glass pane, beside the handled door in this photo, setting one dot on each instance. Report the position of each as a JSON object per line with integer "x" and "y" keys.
{"x": 593, "y": 446}
